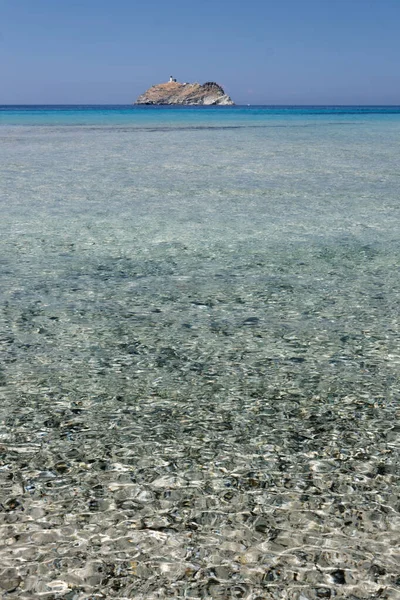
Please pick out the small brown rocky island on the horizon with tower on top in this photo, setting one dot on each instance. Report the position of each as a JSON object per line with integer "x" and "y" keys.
{"x": 186, "y": 94}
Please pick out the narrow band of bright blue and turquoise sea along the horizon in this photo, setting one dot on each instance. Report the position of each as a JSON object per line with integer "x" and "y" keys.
{"x": 175, "y": 116}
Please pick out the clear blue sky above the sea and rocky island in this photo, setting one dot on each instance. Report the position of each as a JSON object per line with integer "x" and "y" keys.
{"x": 261, "y": 51}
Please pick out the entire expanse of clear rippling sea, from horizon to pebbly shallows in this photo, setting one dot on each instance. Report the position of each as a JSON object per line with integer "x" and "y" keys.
{"x": 200, "y": 364}
